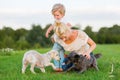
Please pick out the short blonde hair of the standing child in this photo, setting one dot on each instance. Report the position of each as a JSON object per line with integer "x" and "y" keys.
{"x": 58, "y": 7}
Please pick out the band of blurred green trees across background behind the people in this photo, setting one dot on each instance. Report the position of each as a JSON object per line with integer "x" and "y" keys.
{"x": 35, "y": 37}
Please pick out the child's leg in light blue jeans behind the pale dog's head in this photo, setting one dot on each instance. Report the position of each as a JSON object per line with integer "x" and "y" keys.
{"x": 61, "y": 51}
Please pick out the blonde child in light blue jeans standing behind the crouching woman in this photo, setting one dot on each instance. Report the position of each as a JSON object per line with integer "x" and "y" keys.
{"x": 58, "y": 11}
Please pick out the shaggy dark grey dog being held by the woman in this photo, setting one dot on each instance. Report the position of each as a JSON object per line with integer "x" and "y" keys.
{"x": 81, "y": 63}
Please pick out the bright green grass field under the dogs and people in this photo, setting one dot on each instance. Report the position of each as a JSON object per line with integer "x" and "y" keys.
{"x": 10, "y": 67}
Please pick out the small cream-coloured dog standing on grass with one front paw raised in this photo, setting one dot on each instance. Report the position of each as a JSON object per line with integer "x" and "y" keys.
{"x": 34, "y": 58}
